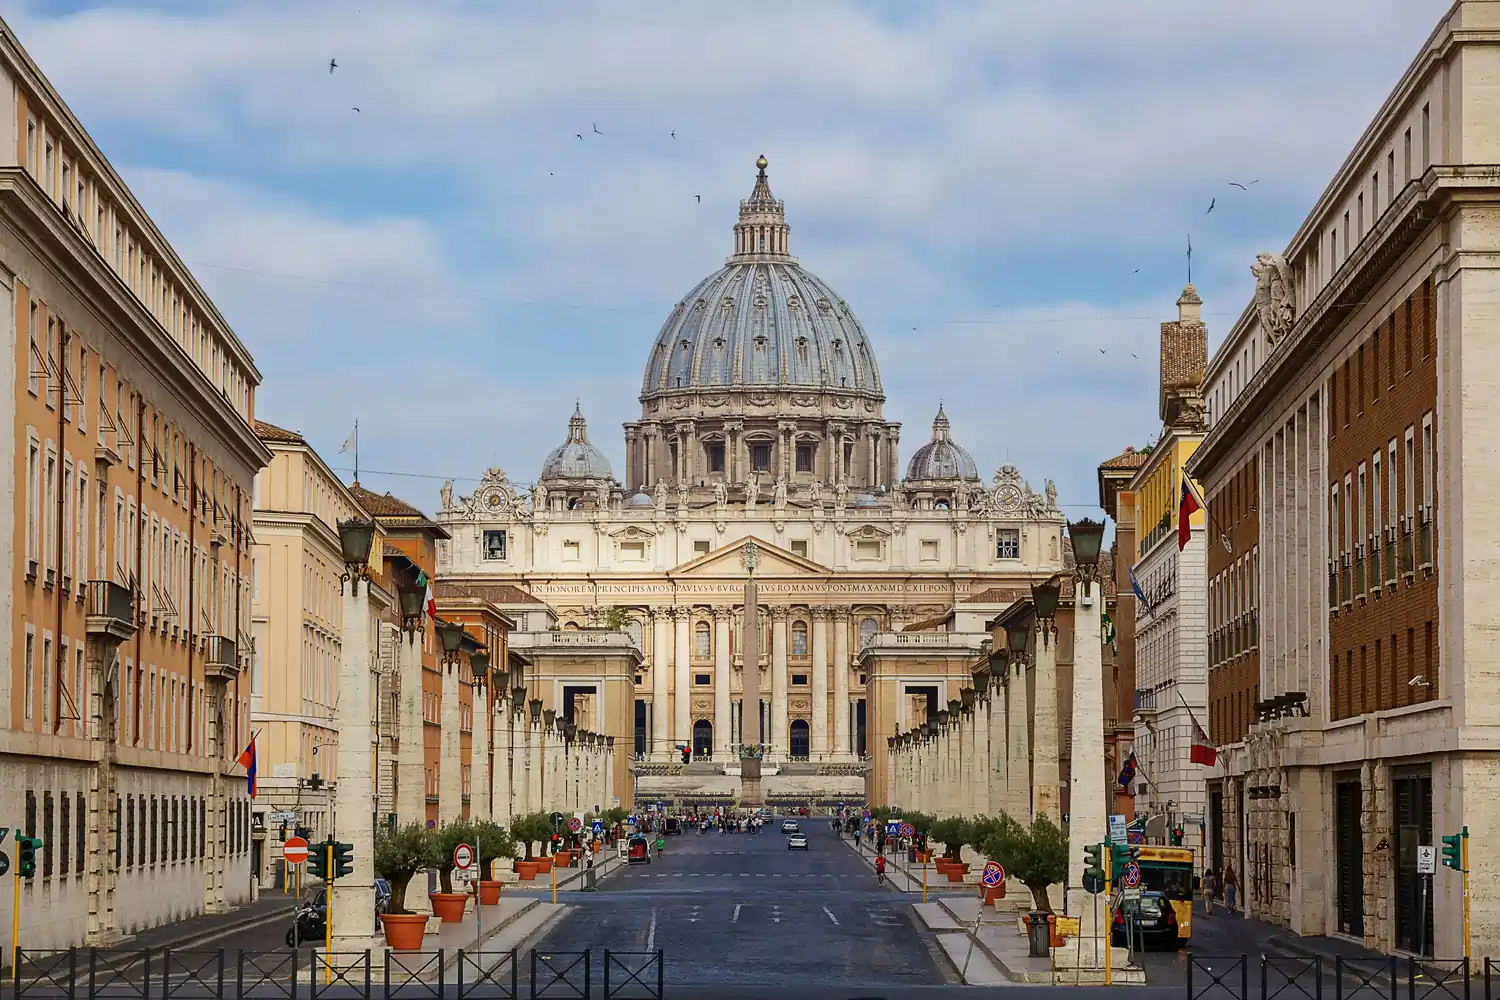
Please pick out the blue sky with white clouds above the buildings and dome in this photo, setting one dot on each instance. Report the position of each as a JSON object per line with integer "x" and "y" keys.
{"x": 980, "y": 181}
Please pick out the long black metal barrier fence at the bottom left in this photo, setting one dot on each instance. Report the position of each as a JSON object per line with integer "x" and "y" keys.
{"x": 314, "y": 975}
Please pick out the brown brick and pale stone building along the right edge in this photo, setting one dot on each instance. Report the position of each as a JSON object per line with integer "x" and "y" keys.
{"x": 1351, "y": 413}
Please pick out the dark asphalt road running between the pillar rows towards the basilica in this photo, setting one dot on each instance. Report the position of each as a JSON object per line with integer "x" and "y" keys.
{"x": 743, "y": 911}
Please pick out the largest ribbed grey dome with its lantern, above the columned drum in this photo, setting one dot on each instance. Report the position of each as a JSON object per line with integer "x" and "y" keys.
{"x": 763, "y": 322}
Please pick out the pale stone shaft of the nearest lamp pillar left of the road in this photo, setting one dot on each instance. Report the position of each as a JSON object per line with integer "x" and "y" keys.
{"x": 353, "y": 899}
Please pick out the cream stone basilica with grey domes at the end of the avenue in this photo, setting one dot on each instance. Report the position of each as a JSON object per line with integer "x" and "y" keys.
{"x": 761, "y": 419}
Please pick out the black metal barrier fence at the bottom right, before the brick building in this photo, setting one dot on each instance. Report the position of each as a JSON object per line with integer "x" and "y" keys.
{"x": 1387, "y": 978}
